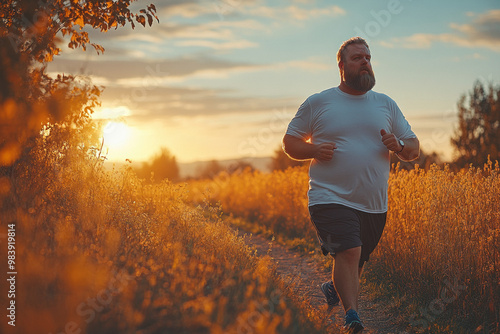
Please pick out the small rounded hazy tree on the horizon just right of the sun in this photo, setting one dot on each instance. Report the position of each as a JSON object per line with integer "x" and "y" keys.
{"x": 162, "y": 166}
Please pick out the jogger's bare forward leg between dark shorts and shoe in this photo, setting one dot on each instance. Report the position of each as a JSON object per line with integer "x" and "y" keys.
{"x": 346, "y": 274}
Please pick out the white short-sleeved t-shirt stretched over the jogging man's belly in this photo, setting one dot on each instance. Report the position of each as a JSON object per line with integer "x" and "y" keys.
{"x": 358, "y": 173}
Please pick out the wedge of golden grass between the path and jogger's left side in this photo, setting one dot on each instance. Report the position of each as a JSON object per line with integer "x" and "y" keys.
{"x": 276, "y": 200}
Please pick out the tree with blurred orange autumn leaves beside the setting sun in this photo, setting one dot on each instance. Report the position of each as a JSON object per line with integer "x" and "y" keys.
{"x": 31, "y": 101}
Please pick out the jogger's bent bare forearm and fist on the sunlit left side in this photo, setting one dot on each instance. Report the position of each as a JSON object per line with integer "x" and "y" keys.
{"x": 299, "y": 149}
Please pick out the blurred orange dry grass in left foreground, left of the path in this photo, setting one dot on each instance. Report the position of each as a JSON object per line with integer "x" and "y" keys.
{"x": 102, "y": 252}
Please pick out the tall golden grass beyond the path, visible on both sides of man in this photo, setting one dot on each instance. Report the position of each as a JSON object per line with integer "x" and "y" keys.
{"x": 440, "y": 253}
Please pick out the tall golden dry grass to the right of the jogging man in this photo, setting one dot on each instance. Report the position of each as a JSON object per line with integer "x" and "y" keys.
{"x": 442, "y": 247}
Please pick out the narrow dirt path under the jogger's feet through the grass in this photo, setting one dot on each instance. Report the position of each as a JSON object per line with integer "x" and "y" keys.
{"x": 308, "y": 275}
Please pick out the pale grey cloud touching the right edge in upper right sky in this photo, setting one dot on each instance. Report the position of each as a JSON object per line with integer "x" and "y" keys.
{"x": 483, "y": 31}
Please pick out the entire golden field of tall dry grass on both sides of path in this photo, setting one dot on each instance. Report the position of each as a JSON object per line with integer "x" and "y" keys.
{"x": 106, "y": 252}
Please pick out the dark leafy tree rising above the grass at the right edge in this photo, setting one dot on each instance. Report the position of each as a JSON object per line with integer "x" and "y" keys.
{"x": 478, "y": 133}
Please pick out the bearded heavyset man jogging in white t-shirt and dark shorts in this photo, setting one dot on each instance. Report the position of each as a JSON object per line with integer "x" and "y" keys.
{"x": 348, "y": 132}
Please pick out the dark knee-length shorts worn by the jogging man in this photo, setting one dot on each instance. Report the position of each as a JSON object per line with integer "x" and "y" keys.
{"x": 340, "y": 227}
